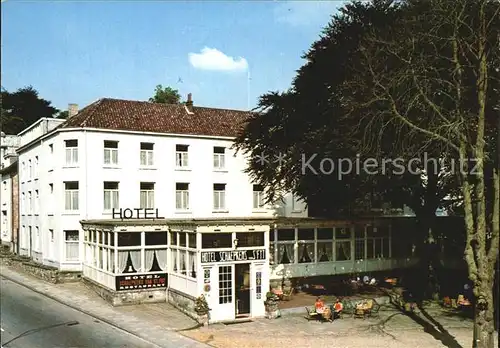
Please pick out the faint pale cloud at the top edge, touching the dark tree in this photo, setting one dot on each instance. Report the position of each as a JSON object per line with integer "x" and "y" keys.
{"x": 302, "y": 13}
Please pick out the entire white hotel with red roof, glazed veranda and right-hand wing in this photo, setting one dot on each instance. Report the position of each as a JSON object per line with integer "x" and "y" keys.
{"x": 214, "y": 236}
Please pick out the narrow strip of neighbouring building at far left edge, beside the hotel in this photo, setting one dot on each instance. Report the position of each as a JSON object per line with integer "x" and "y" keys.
{"x": 9, "y": 191}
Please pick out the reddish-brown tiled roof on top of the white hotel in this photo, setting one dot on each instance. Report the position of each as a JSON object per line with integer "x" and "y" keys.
{"x": 143, "y": 116}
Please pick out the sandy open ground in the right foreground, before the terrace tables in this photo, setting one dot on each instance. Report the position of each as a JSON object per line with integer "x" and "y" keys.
{"x": 391, "y": 330}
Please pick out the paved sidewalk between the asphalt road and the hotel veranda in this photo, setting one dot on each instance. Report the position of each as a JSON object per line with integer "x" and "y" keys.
{"x": 156, "y": 323}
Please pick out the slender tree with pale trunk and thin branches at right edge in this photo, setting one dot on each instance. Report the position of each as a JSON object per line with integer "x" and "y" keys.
{"x": 434, "y": 75}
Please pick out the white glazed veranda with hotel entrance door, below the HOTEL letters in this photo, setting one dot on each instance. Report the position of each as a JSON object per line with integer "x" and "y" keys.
{"x": 227, "y": 261}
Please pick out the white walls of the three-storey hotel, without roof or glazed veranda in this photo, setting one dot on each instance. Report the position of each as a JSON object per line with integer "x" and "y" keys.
{"x": 68, "y": 174}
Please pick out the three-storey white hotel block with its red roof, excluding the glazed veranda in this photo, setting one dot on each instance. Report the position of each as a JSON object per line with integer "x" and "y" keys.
{"x": 118, "y": 154}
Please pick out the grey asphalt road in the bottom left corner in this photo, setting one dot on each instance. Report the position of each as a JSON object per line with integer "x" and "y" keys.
{"x": 22, "y": 310}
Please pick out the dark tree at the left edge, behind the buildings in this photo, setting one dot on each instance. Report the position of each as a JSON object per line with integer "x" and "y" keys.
{"x": 22, "y": 108}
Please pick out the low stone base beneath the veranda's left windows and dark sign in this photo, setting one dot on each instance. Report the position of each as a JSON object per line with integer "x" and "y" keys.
{"x": 123, "y": 298}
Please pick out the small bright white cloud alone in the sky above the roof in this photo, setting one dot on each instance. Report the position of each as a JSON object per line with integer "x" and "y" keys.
{"x": 213, "y": 59}
